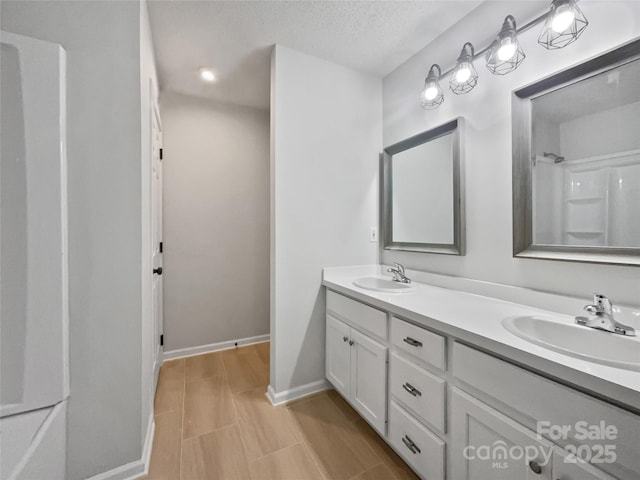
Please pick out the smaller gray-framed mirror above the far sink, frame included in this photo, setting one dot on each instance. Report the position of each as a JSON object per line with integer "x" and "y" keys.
{"x": 422, "y": 192}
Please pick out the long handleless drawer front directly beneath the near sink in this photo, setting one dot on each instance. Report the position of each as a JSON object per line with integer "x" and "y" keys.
{"x": 543, "y": 400}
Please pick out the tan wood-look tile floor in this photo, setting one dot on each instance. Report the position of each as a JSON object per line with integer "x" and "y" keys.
{"x": 214, "y": 422}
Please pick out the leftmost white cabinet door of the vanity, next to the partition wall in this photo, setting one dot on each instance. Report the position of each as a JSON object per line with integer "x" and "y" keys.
{"x": 338, "y": 355}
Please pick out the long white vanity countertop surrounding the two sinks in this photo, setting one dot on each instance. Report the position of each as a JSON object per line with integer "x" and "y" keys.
{"x": 478, "y": 319}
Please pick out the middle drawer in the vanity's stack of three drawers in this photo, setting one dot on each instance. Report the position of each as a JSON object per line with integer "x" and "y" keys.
{"x": 420, "y": 391}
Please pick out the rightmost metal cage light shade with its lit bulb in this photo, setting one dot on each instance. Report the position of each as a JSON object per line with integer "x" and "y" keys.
{"x": 564, "y": 24}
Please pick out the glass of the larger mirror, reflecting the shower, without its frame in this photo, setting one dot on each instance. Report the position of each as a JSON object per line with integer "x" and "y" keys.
{"x": 586, "y": 162}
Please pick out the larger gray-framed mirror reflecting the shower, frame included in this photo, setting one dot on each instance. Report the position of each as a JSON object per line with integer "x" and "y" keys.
{"x": 576, "y": 154}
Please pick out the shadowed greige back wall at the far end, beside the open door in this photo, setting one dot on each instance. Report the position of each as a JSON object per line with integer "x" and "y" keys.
{"x": 216, "y": 221}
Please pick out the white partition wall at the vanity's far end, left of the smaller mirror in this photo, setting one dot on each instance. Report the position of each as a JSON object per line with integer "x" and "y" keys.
{"x": 325, "y": 141}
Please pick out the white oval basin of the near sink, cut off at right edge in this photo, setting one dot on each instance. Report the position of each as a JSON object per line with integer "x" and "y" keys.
{"x": 578, "y": 341}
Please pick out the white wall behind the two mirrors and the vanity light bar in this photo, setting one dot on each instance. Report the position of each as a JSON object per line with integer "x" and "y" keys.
{"x": 487, "y": 110}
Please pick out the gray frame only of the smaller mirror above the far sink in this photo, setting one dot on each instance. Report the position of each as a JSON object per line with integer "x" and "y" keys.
{"x": 456, "y": 127}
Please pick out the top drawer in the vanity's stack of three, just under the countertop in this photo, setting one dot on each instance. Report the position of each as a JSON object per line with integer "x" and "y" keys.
{"x": 421, "y": 344}
